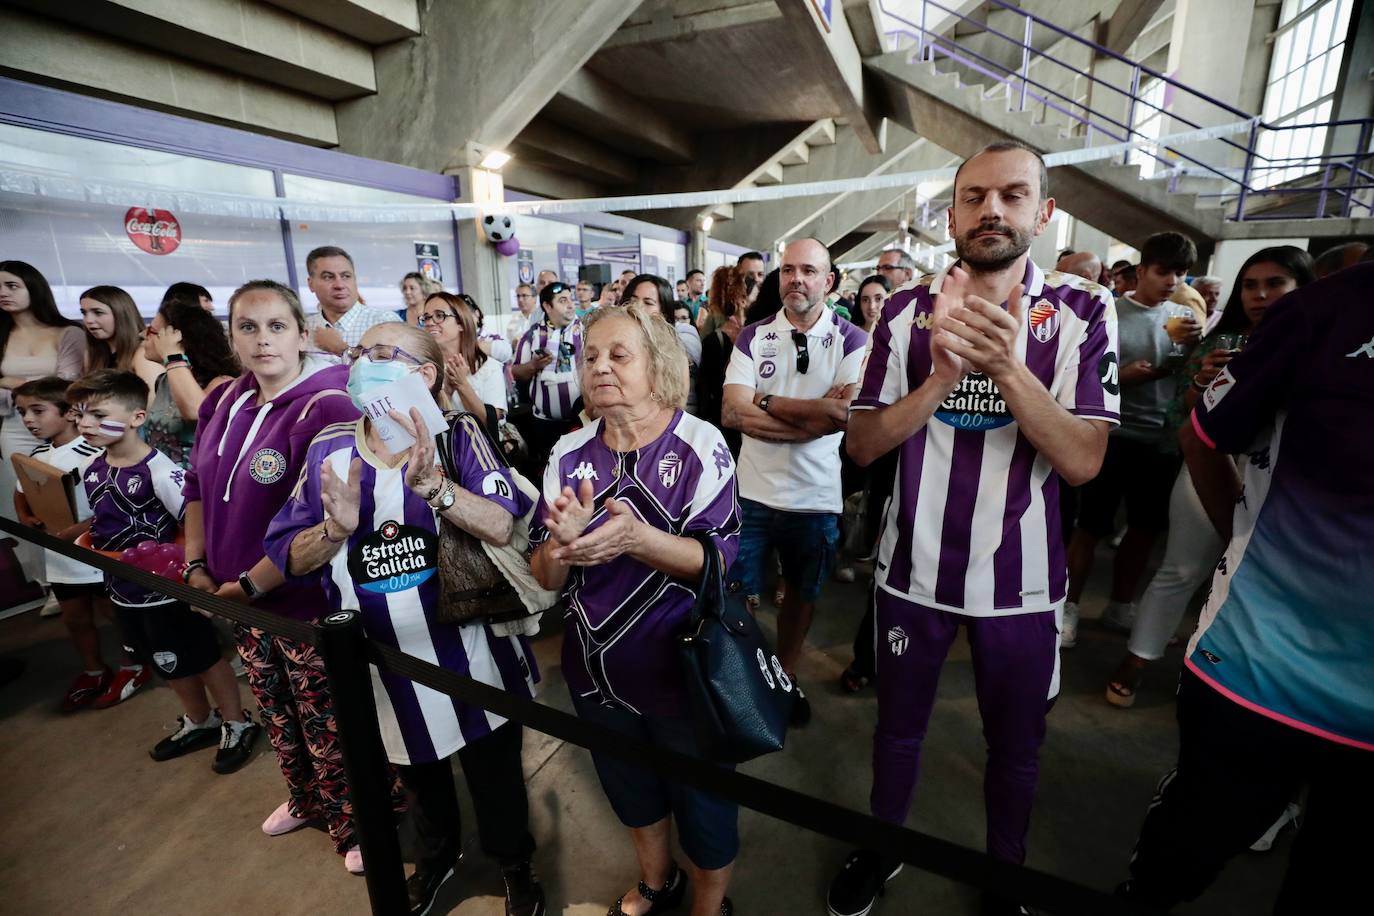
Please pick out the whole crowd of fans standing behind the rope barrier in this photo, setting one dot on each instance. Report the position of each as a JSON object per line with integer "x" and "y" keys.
{"x": 969, "y": 437}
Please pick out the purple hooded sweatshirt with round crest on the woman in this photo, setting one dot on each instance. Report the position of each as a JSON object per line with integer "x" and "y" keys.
{"x": 245, "y": 463}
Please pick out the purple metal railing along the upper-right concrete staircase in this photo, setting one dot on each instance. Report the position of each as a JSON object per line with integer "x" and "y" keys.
{"x": 1258, "y": 170}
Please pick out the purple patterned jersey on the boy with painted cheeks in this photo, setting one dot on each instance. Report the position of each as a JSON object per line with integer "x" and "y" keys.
{"x": 130, "y": 506}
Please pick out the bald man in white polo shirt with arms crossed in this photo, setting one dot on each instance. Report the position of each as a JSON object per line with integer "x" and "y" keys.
{"x": 788, "y": 389}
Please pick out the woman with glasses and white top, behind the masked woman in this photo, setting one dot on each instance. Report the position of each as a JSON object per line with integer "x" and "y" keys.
{"x": 473, "y": 381}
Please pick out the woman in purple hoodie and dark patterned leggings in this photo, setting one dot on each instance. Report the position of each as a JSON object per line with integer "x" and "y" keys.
{"x": 251, "y": 446}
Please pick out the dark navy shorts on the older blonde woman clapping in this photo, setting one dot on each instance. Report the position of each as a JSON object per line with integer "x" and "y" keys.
{"x": 708, "y": 827}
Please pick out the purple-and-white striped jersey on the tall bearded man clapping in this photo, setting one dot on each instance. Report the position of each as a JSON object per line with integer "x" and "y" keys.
{"x": 973, "y": 523}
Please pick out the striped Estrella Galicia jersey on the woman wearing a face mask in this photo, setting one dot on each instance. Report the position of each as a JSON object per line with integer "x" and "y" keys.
{"x": 388, "y": 572}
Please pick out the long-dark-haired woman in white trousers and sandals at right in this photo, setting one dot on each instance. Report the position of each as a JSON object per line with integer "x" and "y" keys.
{"x": 1193, "y": 546}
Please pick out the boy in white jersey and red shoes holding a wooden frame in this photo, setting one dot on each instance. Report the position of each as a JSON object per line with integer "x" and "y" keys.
{"x": 43, "y": 409}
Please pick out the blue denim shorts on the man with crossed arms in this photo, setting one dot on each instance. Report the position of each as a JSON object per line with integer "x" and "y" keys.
{"x": 806, "y": 545}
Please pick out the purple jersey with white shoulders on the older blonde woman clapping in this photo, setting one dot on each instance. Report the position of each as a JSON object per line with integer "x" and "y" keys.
{"x": 623, "y": 616}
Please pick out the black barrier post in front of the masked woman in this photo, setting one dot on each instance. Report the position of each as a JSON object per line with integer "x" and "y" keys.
{"x": 343, "y": 646}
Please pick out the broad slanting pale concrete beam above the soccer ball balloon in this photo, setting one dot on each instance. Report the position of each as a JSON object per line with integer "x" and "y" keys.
{"x": 473, "y": 80}
